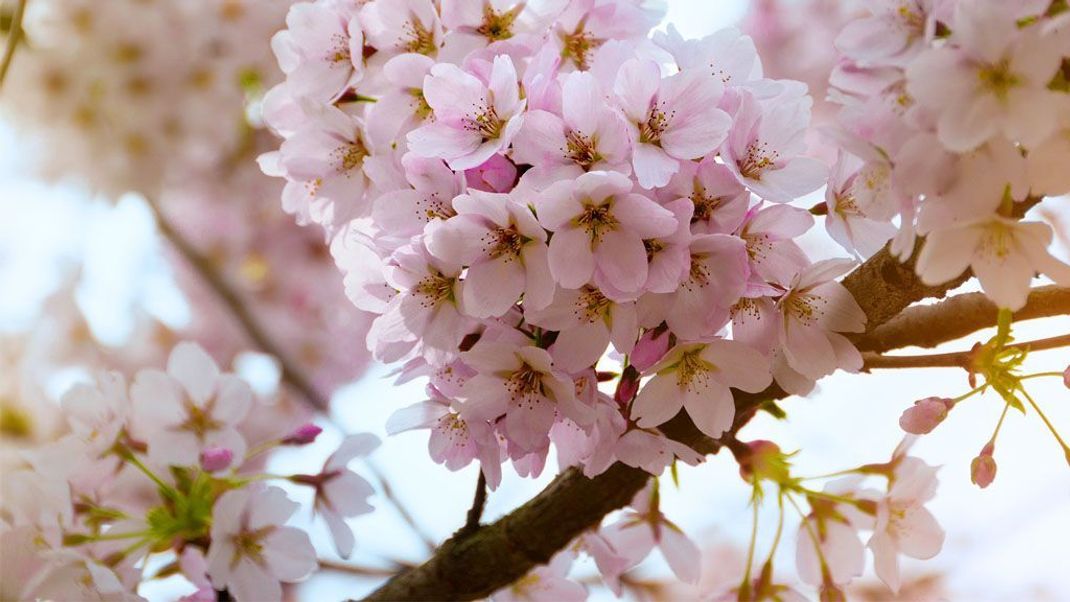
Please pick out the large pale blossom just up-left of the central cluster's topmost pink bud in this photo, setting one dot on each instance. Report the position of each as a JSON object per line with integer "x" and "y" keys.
{"x": 473, "y": 120}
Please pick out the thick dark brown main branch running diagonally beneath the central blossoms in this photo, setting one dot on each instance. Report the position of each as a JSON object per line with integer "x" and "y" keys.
{"x": 475, "y": 565}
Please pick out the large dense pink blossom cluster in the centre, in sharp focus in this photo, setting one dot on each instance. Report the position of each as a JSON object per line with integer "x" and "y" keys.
{"x": 516, "y": 190}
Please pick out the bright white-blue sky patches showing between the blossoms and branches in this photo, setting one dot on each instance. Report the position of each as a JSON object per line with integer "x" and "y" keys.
{"x": 1006, "y": 543}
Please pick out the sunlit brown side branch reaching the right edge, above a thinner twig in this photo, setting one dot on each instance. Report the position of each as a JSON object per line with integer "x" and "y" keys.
{"x": 931, "y": 326}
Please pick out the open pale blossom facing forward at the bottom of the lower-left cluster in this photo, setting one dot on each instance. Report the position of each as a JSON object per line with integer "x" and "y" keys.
{"x": 252, "y": 550}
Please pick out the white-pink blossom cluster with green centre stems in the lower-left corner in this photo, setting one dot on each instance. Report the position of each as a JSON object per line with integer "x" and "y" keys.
{"x": 167, "y": 467}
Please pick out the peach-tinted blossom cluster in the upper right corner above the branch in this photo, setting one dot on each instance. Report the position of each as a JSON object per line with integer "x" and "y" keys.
{"x": 955, "y": 118}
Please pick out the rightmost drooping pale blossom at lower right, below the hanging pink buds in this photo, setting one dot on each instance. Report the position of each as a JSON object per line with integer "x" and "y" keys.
{"x": 904, "y": 524}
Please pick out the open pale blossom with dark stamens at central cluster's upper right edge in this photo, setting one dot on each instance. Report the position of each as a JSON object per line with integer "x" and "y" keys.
{"x": 766, "y": 145}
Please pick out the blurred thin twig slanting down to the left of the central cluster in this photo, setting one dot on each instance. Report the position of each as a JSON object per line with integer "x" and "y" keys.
{"x": 259, "y": 336}
